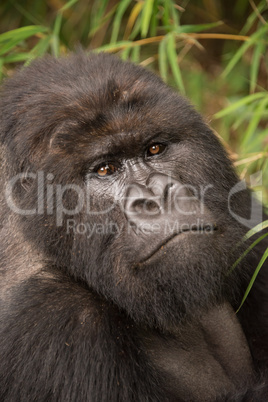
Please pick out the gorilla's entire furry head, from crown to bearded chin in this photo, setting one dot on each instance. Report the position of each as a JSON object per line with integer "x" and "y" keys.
{"x": 134, "y": 185}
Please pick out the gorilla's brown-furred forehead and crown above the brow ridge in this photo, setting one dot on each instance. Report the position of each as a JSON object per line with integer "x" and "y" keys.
{"x": 98, "y": 95}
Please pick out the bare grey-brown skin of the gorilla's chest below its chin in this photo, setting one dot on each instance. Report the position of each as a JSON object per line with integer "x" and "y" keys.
{"x": 204, "y": 360}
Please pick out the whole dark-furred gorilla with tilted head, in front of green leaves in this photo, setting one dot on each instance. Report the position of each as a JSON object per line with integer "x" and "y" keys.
{"x": 120, "y": 219}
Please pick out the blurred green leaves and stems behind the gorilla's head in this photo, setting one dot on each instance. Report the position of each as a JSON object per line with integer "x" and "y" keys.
{"x": 213, "y": 51}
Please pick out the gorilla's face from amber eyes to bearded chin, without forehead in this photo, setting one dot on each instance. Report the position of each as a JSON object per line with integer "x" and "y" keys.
{"x": 171, "y": 249}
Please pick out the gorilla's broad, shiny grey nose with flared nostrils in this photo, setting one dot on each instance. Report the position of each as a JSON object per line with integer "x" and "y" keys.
{"x": 149, "y": 200}
